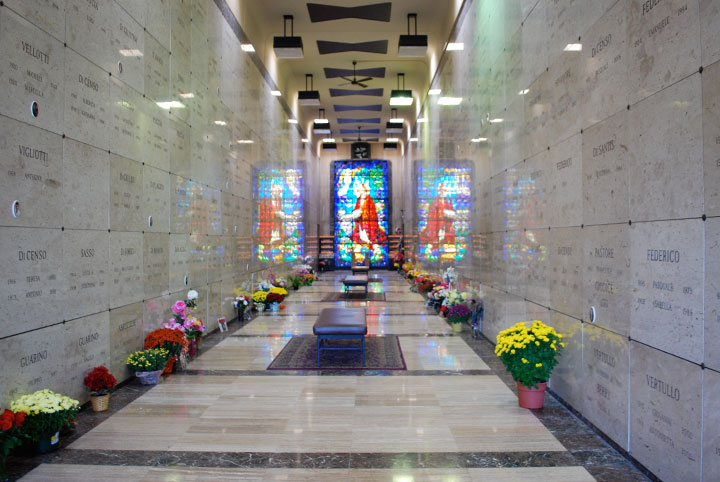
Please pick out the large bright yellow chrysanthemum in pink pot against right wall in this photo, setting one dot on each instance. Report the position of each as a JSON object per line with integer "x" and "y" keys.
{"x": 529, "y": 354}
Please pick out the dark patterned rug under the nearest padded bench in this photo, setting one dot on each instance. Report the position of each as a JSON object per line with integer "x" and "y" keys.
{"x": 381, "y": 353}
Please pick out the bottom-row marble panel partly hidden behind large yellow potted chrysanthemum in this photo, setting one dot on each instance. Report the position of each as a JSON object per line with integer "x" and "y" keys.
{"x": 567, "y": 379}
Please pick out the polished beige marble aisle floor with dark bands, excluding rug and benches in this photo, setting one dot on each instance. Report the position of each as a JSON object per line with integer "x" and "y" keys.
{"x": 451, "y": 416}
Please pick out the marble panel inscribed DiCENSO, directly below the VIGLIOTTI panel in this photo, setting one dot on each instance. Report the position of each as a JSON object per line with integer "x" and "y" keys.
{"x": 31, "y": 261}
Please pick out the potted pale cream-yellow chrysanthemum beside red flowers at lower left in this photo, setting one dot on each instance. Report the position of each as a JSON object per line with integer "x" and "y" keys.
{"x": 47, "y": 413}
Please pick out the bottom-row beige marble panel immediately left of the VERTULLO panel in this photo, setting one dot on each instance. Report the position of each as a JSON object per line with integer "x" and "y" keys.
{"x": 606, "y": 383}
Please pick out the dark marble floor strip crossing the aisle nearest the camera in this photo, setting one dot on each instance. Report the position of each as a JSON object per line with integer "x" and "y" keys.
{"x": 416, "y": 460}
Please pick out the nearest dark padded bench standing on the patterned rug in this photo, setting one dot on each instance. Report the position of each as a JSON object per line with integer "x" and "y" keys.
{"x": 340, "y": 323}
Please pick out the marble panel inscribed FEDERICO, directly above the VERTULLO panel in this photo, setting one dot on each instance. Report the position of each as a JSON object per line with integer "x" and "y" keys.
{"x": 667, "y": 279}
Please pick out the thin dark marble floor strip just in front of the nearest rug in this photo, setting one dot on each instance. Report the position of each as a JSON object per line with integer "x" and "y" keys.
{"x": 338, "y": 373}
